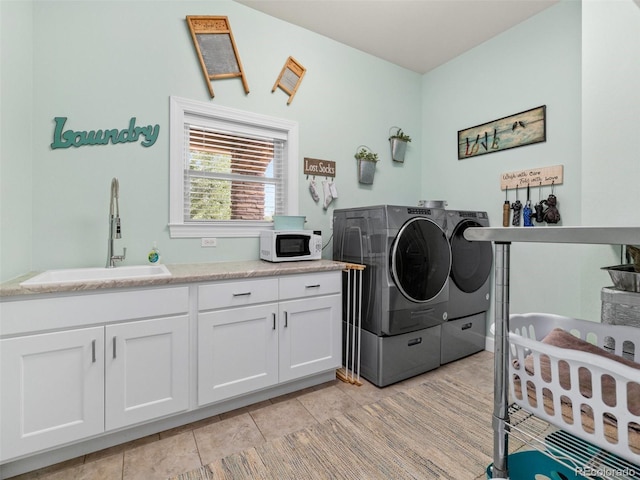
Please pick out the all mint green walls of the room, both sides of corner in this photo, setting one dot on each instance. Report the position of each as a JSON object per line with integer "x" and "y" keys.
{"x": 68, "y": 59}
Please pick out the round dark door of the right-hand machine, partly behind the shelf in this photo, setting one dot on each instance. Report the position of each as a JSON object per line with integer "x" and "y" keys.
{"x": 471, "y": 265}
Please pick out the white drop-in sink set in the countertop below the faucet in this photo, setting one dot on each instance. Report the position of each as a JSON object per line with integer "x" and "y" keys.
{"x": 81, "y": 275}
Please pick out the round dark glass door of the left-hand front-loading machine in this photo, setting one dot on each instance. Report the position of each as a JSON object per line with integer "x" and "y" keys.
{"x": 420, "y": 259}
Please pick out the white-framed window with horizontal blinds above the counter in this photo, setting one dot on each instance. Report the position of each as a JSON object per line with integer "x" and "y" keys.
{"x": 231, "y": 170}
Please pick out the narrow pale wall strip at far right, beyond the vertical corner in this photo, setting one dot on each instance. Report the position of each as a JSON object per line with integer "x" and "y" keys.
{"x": 610, "y": 125}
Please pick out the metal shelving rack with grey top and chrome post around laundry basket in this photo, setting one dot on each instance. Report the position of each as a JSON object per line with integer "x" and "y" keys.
{"x": 503, "y": 412}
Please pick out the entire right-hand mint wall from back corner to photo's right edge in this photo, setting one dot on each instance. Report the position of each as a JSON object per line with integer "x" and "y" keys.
{"x": 560, "y": 59}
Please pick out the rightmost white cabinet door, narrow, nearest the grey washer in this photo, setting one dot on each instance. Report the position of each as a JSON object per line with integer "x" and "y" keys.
{"x": 310, "y": 336}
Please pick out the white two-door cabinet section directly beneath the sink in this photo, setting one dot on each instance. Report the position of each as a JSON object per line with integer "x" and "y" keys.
{"x": 75, "y": 383}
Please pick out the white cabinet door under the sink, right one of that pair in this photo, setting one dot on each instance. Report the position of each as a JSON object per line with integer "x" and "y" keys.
{"x": 146, "y": 370}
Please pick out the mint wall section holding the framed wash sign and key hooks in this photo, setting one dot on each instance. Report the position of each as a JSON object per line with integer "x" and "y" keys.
{"x": 535, "y": 63}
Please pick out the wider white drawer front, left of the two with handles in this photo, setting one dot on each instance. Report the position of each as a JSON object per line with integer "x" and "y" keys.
{"x": 237, "y": 293}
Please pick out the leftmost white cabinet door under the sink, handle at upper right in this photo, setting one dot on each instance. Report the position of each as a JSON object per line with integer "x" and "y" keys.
{"x": 52, "y": 389}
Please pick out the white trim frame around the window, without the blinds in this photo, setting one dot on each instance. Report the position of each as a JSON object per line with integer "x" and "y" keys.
{"x": 178, "y": 109}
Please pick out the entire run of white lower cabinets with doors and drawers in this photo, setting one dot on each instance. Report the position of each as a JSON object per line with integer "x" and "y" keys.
{"x": 74, "y": 367}
